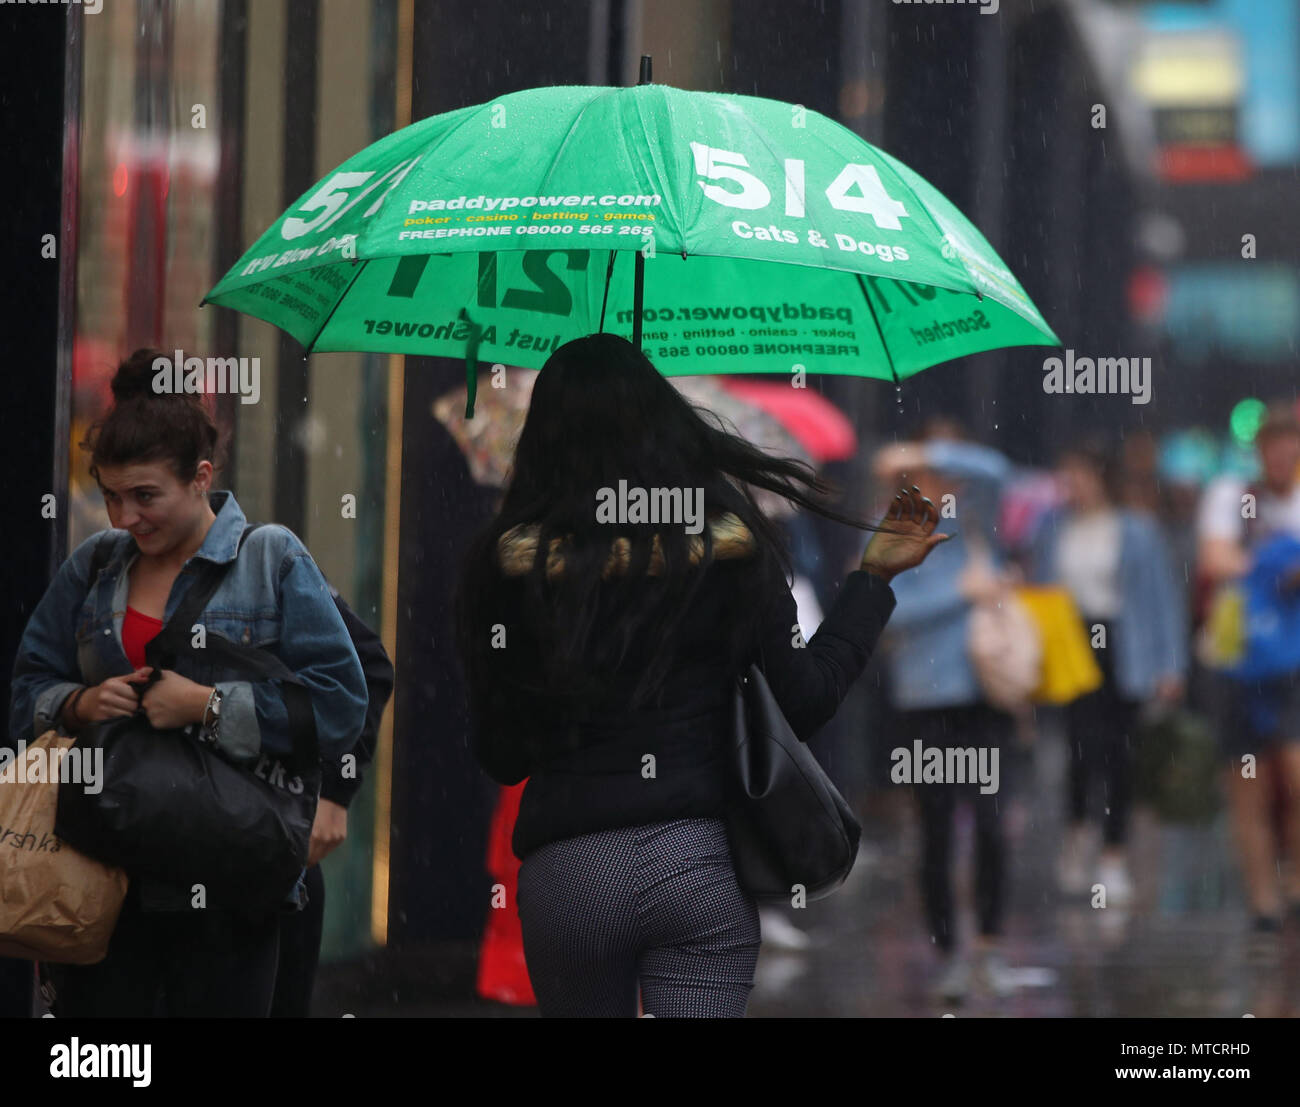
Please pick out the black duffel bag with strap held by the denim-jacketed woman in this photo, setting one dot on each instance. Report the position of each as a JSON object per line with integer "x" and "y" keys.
{"x": 174, "y": 809}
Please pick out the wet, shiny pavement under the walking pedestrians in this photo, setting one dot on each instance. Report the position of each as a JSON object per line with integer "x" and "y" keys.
{"x": 1181, "y": 950}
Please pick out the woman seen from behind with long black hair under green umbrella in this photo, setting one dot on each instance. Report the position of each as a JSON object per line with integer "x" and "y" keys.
{"x": 601, "y": 643}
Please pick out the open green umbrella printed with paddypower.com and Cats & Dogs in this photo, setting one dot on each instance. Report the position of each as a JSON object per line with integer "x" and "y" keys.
{"x": 772, "y": 240}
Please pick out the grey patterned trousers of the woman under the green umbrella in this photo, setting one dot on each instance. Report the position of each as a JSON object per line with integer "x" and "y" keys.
{"x": 656, "y": 905}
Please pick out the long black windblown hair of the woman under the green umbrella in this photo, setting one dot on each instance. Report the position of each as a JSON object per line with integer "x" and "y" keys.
{"x": 603, "y": 414}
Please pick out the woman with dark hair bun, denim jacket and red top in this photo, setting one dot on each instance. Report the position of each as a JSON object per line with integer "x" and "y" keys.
{"x": 83, "y": 655}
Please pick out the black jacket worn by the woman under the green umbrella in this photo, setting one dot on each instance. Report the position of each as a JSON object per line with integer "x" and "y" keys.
{"x": 590, "y": 771}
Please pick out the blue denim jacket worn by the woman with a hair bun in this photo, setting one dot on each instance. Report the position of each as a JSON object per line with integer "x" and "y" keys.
{"x": 274, "y": 598}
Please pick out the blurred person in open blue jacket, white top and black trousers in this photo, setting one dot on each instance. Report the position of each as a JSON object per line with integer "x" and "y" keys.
{"x": 1117, "y": 568}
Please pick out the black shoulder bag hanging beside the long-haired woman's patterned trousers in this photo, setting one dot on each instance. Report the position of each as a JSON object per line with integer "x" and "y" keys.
{"x": 786, "y": 822}
